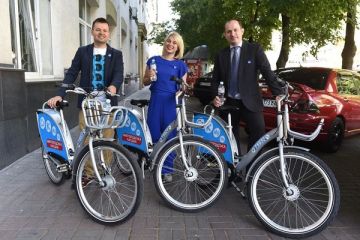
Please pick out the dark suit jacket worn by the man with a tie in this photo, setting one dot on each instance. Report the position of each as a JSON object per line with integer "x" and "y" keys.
{"x": 252, "y": 61}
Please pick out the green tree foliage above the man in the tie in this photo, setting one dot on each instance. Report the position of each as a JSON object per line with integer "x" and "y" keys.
{"x": 312, "y": 22}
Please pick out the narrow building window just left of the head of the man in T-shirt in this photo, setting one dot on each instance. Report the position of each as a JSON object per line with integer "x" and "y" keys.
{"x": 84, "y": 23}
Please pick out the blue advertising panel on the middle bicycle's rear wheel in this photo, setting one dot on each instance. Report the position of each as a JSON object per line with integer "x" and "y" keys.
{"x": 132, "y": 133}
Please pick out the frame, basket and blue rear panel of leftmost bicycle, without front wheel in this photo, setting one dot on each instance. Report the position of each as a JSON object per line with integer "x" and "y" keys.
{"x": 56, "y": 138}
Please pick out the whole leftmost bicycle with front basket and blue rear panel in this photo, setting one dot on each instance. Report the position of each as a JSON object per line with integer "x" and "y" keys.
{"x": 107, "y": 180}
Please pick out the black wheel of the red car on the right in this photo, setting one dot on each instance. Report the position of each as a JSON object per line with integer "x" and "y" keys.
{"x": 335, "y": 135}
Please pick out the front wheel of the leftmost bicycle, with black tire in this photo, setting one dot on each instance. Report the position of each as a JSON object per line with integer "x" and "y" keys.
{"x": 120, "y": 198}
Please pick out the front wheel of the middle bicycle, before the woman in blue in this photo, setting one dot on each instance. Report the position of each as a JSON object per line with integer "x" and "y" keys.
{"x": 188, "y": 193}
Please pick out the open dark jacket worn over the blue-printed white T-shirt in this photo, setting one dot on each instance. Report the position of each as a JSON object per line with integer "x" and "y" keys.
{"x": 83, "y": 62}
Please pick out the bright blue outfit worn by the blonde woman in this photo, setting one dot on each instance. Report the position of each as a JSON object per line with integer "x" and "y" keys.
{"x": 162, "y": 106}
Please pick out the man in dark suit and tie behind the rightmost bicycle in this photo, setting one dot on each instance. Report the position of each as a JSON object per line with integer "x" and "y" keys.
{"x": 238, "y": 66}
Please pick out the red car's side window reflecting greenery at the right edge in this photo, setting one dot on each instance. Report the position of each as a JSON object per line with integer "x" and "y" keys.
{"x": 348, "y": 84}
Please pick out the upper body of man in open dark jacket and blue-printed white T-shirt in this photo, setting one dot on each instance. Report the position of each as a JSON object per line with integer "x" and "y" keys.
{"x": 100, "y": 65}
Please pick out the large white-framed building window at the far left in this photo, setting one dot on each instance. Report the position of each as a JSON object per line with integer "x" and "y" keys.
{"x": 31, "y": 38}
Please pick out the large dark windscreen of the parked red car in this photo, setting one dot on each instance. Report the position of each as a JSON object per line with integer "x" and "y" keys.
{"x": 312, "y": 78}
